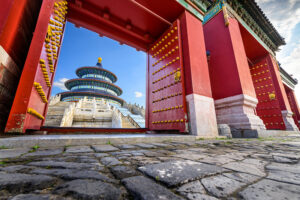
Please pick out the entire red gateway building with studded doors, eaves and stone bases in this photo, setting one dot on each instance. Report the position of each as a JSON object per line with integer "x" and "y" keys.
{"x": 181, "y": 95}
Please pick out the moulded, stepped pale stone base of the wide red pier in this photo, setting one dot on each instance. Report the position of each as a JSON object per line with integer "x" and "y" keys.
{"x": 239, "y": 112}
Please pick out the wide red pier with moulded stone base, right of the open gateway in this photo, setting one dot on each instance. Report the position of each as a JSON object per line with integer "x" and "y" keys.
{"x": 231, "y": 81}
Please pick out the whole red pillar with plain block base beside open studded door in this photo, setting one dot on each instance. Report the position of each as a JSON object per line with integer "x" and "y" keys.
{"x": 200, "y": 104}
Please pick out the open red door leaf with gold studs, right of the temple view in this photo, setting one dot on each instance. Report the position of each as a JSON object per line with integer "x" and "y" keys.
{"x": 166, "y": 94}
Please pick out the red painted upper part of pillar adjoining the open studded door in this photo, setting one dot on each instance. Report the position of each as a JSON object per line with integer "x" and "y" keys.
{"x": 197, "y": 79}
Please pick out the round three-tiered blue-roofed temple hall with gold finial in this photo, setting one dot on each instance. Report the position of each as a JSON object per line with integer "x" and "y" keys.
{"x": 93, "y": 82}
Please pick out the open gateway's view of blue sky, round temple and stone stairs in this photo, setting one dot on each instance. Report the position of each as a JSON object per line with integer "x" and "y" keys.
{"x": 97, "y": 92}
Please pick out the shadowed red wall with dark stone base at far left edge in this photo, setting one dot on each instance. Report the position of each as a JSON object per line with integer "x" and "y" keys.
{"x": 17, "y": 23}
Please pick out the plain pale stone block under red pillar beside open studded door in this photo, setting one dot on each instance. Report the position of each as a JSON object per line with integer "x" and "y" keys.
{"x": 202, "y": 116}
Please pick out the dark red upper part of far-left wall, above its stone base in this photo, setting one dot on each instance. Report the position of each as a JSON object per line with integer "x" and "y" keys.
{"x": 17, "y": 32}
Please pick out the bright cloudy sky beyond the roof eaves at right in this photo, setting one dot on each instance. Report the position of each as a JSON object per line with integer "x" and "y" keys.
{"x": 285, "y": 16}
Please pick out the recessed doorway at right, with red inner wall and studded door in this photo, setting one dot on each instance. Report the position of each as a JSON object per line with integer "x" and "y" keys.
{"x": 261, "y": 65}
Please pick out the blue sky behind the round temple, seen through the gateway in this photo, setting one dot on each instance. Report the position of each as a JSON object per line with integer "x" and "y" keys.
{"x": 82, "y": 47}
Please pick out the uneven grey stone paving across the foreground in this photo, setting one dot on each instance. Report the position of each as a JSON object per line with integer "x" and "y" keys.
{"x": 202, "y": 170}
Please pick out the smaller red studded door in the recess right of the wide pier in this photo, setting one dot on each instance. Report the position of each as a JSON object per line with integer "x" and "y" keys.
{"x": 268, "y": 108}
